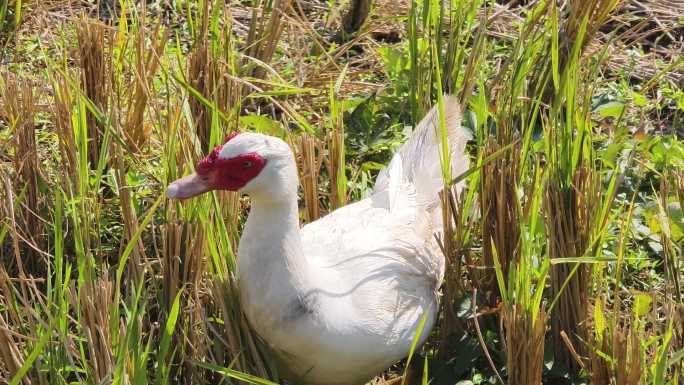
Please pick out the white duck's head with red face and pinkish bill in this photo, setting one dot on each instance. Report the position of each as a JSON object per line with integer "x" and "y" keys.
{"x": 253, "y": 164}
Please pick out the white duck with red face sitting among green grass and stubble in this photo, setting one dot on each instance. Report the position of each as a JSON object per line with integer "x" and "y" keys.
{"x": 340, "y": 299}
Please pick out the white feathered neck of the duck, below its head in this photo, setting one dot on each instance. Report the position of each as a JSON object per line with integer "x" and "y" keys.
{"x": 273, "y": 270}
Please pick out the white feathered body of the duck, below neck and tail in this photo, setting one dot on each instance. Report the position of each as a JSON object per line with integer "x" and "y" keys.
{"x": 357, "y": 311}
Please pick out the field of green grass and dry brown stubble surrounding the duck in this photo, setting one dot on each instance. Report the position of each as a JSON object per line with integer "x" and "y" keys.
{"x": 565, "y": 257}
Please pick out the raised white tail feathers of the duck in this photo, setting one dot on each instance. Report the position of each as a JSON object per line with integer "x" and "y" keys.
{"x": 418, "y": 160}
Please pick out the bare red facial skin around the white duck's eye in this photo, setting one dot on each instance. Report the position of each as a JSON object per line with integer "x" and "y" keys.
{"x": 229, "y": 174}
